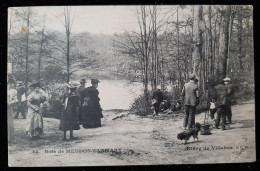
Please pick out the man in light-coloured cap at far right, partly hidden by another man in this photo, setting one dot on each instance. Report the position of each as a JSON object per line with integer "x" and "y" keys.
{"x": 230, "y": 92}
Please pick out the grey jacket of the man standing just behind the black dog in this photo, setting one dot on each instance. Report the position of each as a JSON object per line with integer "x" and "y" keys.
{"x": 189, "y": 93}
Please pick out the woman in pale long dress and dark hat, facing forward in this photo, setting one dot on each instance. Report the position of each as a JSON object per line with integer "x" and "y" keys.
{"x": 35, "y": 119}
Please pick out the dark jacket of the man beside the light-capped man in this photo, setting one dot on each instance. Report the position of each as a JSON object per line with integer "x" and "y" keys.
{"x": 220, "y": 95}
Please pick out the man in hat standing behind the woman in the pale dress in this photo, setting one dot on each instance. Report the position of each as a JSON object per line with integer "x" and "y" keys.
{"x": 21, "y": 100}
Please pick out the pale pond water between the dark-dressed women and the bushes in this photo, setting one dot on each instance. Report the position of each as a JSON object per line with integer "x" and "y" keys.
{"x": 117, "y": 94}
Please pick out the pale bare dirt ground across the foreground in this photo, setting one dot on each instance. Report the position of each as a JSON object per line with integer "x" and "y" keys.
{"x": 132, "y": 140}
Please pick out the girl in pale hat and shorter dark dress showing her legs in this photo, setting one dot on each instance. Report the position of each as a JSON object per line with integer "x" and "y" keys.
{"x": 69, "y": 119}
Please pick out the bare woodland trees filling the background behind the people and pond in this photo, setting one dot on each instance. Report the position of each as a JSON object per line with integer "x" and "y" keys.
{"x": 168, "y": 44}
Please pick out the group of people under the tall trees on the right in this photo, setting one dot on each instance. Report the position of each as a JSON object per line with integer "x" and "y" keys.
{"x": 219, "y": 97}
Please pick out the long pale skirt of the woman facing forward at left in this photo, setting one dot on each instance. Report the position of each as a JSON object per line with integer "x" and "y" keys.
{"x": 35, "y": 124}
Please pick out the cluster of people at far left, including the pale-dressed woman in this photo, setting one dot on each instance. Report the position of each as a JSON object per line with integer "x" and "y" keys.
{"x": 30, "y": 107}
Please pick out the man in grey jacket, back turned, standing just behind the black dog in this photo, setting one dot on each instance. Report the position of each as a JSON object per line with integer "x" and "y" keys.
{"x": 190, "y": 93}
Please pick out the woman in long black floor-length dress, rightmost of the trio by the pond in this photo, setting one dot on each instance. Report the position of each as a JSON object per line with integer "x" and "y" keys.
{"x": 93, "y": 111}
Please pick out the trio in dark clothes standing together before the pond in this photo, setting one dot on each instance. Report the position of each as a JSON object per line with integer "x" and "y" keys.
{"x": 81, "y": 107}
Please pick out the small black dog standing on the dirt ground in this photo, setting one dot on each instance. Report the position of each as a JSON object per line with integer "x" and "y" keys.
{"x": 185, "y": 135}
